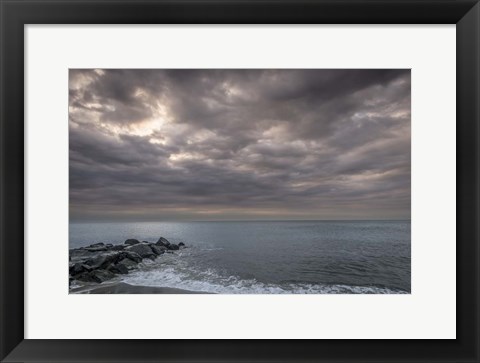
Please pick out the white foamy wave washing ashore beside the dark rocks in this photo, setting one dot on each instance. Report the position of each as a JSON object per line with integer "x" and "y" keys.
{"x": 211, "y": 281}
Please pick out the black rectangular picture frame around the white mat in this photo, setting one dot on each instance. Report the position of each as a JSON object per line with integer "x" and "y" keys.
{"x": 15, "y": 14}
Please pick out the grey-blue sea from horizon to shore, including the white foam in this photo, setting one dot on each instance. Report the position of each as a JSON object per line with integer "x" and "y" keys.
{"x": 268, "y": 257}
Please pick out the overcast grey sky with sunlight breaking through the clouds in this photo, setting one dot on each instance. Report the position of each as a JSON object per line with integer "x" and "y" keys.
{"x": 149, "y": 145}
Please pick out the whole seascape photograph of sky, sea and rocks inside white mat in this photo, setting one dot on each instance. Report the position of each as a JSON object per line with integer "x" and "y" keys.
{"x": 239, "y": 181}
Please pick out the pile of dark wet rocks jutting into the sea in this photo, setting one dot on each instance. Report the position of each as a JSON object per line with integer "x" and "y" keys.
{"x": 101, "y": 262}
